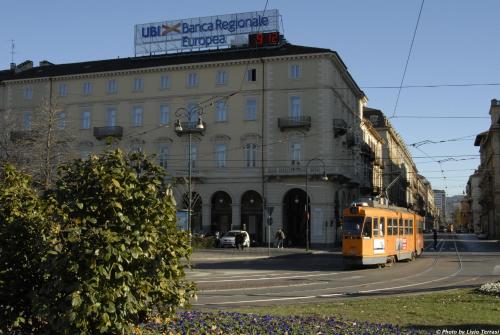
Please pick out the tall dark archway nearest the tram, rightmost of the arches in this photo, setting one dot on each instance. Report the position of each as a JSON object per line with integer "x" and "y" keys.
{"x": 294, "y": 217}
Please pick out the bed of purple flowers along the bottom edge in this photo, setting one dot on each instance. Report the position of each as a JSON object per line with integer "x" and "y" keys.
{"x": 194, "y": 322}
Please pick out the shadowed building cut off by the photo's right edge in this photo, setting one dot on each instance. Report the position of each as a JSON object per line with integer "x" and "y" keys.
{"x": 489, "y": 171}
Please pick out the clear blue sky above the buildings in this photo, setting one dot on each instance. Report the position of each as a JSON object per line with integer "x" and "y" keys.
{"x": 457, "y": 43}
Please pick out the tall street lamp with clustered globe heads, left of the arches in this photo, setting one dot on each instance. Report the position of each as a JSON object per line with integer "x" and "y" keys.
{"x": 189, "y": 128}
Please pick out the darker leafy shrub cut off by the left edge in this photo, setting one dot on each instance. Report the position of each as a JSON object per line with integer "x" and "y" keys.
{"x": 23, "y": 244}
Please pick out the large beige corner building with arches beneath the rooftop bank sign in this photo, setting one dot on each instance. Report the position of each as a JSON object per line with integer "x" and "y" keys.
{"x": 271, "y": 117}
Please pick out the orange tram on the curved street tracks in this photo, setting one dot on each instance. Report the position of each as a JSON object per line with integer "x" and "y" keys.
{"x": 379, "y": 235}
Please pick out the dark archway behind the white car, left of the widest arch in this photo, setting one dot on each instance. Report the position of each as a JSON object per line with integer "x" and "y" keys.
{"x": 251, "y": 215}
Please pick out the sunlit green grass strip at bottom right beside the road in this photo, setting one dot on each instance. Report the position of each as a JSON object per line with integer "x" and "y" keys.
{"x": 454, "y": 309}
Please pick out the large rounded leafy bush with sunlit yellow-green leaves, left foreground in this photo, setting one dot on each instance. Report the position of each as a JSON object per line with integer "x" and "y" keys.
{"x": 119, "y": 260}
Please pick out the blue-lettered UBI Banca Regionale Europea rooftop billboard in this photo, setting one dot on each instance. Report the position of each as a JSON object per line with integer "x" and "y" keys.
{"x": 210, "y": 32}
